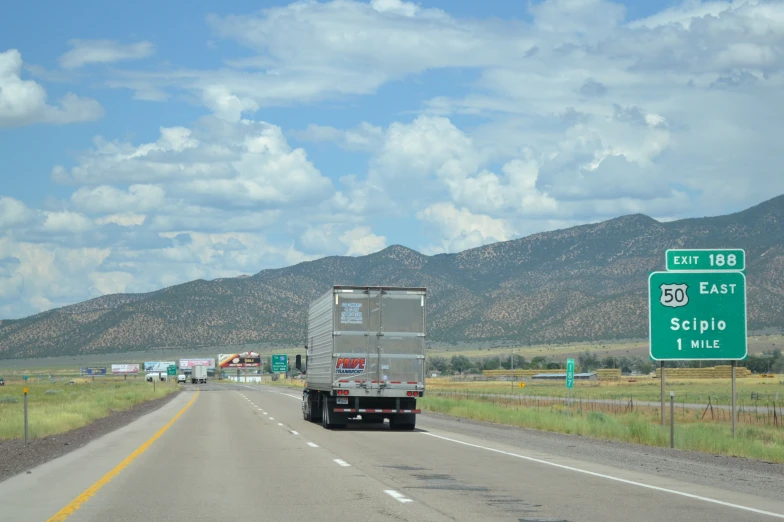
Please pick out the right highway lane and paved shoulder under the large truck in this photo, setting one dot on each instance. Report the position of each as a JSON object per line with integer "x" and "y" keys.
{"x": 473, "y": 476}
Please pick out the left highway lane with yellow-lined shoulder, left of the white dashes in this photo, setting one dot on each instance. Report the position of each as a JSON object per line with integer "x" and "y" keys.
{"x": 221, "y": 460}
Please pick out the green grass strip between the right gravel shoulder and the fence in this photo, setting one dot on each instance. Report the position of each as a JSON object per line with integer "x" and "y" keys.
{"x": 755, "y": 442}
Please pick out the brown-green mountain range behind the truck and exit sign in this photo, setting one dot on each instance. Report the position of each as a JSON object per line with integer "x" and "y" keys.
{"x": 578, "y": 284}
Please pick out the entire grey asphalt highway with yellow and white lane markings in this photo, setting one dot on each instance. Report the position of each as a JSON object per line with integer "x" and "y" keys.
{"x": 243, "y": 452}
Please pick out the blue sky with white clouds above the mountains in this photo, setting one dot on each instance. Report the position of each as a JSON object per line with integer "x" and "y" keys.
{"x": 152, "y": 143}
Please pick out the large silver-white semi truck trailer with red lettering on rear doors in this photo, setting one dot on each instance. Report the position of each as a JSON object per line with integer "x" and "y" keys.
{"x": 365, "y": 356}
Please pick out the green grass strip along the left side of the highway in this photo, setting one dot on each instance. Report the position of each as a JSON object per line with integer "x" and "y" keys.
{"x": 59, "y": 407}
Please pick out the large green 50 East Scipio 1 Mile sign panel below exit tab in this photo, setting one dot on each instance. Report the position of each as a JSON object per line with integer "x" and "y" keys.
{"x": 697, "y": 315}
